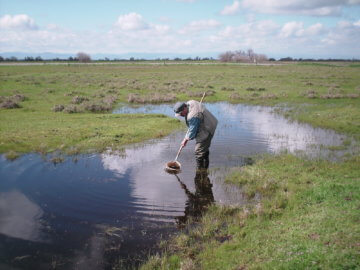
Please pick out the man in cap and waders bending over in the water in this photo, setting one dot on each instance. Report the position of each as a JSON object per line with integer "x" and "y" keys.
{"x": 201, "y": 127}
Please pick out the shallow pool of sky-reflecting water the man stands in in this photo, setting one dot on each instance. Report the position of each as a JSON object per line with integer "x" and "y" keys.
{"x": 98, "y": 210}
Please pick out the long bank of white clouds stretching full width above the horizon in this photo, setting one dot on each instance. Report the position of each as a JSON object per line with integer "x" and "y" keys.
{"x": 292, "y": 38}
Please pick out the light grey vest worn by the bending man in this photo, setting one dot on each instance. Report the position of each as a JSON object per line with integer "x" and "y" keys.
{"x": 208, "y": 122}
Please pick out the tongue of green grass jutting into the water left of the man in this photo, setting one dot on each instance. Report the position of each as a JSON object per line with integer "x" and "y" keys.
{"x": 79, "y": 133}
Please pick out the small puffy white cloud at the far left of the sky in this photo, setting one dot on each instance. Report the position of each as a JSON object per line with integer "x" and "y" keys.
{"x": 21, "y": 21}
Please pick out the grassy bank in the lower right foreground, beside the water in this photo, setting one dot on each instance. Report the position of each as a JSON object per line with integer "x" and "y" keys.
{"x": 308, "y": 218}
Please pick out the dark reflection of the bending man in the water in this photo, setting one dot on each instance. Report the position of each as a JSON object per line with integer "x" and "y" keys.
{"x": 197, "y": 202}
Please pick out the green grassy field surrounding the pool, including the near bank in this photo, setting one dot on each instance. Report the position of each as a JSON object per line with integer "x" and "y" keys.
{"x": 308, "y": 215}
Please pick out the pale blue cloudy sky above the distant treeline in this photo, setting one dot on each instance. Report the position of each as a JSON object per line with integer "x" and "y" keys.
{"x": 276, "y": 28}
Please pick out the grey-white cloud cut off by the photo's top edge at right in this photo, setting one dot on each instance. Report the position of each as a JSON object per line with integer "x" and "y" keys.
{"x": 312, "y": 8}
